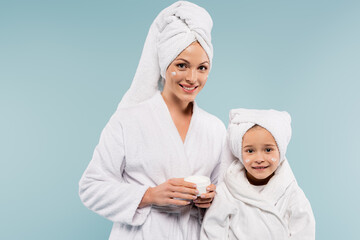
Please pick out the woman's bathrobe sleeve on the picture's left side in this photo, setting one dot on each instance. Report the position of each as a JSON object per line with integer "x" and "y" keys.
{"x": 102, "y": 188}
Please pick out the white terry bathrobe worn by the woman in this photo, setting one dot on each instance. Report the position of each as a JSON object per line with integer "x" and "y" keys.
{"x": 140, "y": 147}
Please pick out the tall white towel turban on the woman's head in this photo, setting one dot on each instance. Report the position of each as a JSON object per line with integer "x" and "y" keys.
{"x": 173, "y": 30}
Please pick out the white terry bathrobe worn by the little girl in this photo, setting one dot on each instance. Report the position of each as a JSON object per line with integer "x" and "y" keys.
{"x": 279, "y": 210}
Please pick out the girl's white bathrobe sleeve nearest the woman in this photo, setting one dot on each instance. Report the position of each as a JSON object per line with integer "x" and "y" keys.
{"x": 216, "y": 222}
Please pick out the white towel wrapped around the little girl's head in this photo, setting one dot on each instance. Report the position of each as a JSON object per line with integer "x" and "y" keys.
{"x": 276, "y": 122}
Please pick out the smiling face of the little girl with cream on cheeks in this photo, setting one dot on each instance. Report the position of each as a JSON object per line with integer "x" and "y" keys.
{"x": 260, "y": 155}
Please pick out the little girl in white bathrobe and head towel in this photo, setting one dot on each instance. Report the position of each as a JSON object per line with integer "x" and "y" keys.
{"x": 259, "y": 197}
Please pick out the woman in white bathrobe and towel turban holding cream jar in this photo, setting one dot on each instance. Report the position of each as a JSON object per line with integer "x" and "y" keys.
{"x": 155, "y": 139}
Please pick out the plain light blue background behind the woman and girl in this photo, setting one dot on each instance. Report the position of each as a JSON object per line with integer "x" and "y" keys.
{"x": 64, "y": 66}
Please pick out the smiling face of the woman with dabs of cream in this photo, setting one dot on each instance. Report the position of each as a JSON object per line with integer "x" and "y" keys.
{"x": 187, "y": 74}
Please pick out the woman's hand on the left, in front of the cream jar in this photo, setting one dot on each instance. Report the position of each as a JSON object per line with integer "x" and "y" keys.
{"x": 174, "y": 191}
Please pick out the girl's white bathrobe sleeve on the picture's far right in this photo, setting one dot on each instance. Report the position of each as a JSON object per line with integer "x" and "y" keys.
{"x": 301, "y": 217}
